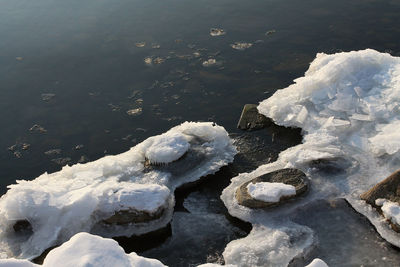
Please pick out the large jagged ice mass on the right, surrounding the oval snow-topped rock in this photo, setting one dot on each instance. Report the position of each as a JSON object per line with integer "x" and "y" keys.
{"x": 348, "y": 107}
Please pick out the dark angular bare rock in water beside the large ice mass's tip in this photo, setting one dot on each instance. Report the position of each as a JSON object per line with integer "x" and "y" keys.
{"x": 251, "y": 119}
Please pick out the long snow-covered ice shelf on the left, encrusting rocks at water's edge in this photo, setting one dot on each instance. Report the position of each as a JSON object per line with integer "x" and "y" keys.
{"x": 126, "y": 194}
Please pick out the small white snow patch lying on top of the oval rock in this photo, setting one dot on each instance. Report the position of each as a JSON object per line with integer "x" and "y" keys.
{"x": 270, "y": 192}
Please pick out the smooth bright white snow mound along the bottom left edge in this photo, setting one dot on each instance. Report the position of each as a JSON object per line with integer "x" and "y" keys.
{"x": 84, "y": 249}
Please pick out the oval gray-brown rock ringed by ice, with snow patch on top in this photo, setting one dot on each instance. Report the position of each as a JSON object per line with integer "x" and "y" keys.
{"x": 293, "y": 177}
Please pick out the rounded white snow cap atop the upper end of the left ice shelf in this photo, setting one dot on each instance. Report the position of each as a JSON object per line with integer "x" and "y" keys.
{"x": 166, "y": 148}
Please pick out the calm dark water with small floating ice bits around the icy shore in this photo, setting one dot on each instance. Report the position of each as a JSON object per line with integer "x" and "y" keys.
{"x": 75, "y": 68}
